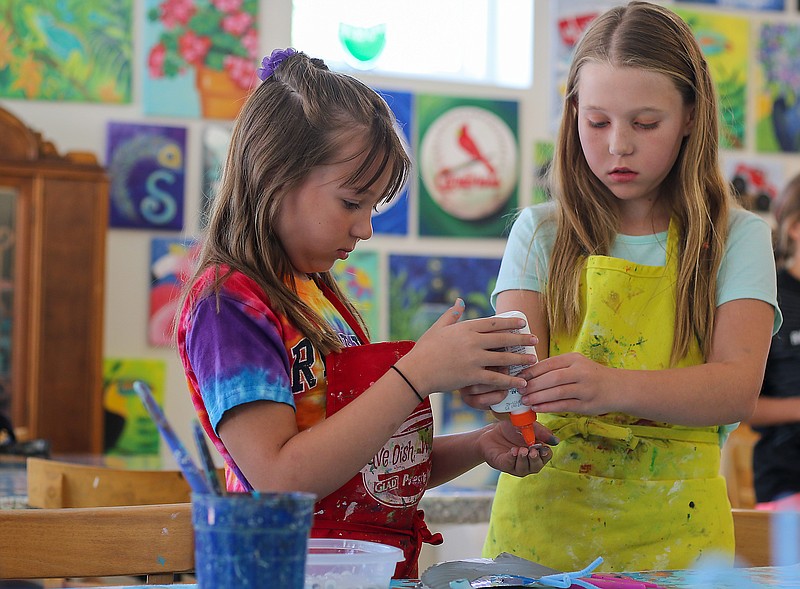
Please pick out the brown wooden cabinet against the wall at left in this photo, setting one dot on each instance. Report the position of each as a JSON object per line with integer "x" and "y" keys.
{"x": 53, "y": 223}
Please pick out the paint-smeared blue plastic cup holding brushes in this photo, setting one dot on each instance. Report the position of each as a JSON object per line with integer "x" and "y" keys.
{"x": 256, "y": 541}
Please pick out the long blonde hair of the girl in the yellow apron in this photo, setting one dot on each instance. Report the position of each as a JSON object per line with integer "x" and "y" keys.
{"x": 649, "y": 37}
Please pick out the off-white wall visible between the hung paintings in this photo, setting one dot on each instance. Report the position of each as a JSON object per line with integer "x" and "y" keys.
{"x": 82, "y": 127}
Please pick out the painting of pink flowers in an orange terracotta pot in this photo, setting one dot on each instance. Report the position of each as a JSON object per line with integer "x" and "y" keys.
{"x": 201, "y": 57}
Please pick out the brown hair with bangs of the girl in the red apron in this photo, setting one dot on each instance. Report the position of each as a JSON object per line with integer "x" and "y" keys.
{"x": 299, "y": 118}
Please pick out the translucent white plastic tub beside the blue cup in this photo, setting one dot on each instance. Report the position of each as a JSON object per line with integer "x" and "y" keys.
{"x": 334, "y": 563}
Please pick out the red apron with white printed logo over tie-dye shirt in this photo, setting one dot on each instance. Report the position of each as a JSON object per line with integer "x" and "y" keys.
{"x": 379, "y": 504}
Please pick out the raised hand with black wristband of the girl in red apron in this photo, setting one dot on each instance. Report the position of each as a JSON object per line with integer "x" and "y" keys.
{"x": 453, "y": 354}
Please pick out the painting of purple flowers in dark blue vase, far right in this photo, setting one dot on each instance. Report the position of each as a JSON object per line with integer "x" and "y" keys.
{"x": 778, "y": 106}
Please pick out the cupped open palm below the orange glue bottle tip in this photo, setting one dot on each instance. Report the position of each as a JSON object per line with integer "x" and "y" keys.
{"x": 503, "y": 448}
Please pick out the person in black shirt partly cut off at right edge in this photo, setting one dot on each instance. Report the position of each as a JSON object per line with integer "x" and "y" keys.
{"x": 776, "y": 456}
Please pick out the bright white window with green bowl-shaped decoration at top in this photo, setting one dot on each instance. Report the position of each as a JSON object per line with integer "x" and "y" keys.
{"x": 470, "y": 41}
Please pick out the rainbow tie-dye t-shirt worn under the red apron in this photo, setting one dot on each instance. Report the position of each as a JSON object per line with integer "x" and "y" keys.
{"x": 236, "y": 349}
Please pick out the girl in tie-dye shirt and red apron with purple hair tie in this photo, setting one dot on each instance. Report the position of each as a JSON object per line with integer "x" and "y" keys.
{"x": 277, "y": 359}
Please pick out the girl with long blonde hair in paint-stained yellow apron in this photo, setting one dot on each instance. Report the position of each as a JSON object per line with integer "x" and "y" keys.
{"x": 653, "y": 298}
